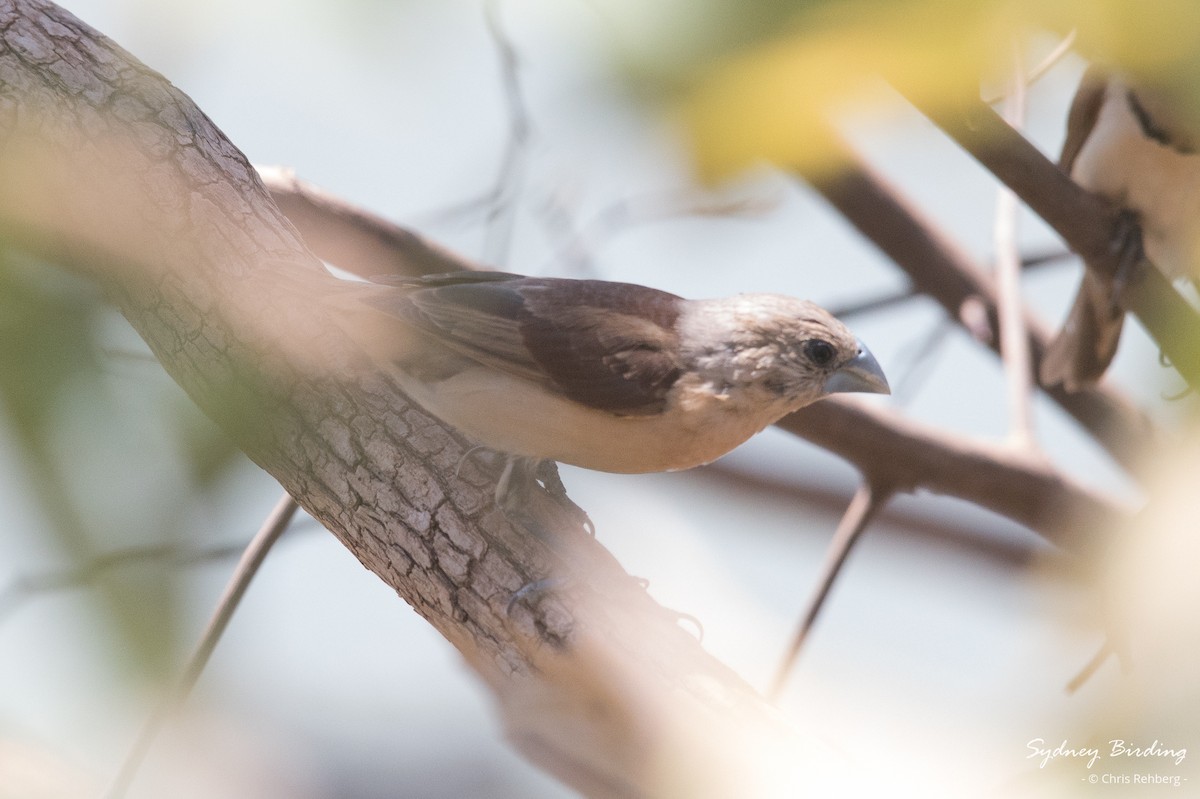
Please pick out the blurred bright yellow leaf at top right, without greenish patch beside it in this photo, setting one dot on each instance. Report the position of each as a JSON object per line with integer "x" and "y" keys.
{"x": 776, "y": 101}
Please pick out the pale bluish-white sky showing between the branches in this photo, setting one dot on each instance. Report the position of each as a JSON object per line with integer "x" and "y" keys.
{"x": 335, "y": 686}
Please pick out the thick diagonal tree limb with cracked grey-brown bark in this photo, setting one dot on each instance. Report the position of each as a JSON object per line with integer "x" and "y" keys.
{"x": 111, "y": 171}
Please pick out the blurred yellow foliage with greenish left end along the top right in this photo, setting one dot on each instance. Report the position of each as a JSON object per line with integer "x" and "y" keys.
{"x": 761, "y": 80}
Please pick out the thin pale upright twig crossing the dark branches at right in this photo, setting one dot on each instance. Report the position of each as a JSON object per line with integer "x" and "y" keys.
{"x": 1015, "y": 341}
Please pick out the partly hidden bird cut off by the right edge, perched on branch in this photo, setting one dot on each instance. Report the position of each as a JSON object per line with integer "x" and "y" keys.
{"x": 1136, "y": 146}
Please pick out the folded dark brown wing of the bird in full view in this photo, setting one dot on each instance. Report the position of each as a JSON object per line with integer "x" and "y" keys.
{"x": 608, "y": 346}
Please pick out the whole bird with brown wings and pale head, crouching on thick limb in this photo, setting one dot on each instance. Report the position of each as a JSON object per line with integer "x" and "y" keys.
{"x": 608, "y": 376}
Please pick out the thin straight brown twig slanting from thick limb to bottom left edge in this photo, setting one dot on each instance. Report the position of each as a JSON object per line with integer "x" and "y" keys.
{"x": 251, "y": 561}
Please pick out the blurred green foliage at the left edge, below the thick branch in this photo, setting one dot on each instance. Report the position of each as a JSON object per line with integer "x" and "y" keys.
{"x": 55, "y": 385}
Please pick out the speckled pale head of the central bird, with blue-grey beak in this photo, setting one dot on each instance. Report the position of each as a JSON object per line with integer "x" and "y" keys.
{"x": 778, "y": 350}
